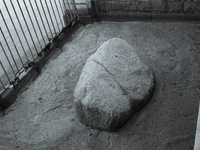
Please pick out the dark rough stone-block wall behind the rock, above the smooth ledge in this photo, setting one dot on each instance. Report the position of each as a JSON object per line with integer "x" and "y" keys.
{"x": 160, "y": 6}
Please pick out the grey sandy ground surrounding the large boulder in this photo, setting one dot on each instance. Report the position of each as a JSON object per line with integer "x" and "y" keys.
{"x": 43, "y": 116}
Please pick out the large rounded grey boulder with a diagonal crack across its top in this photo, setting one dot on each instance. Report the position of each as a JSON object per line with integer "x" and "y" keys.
{"x": 113, "y": 84}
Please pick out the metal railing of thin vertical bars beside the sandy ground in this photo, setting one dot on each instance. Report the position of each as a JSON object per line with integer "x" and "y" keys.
{"x": 27, "y": 30}
